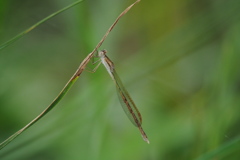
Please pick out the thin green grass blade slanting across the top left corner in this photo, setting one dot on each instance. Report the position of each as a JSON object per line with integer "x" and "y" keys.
{"x": 37, "y": 24}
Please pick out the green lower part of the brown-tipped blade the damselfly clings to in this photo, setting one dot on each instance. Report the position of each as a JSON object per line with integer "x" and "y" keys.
{"x": 55, "y": 101}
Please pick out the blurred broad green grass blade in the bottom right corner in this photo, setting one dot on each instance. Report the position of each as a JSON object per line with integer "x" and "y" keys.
{"x": 223, "y": 151}
